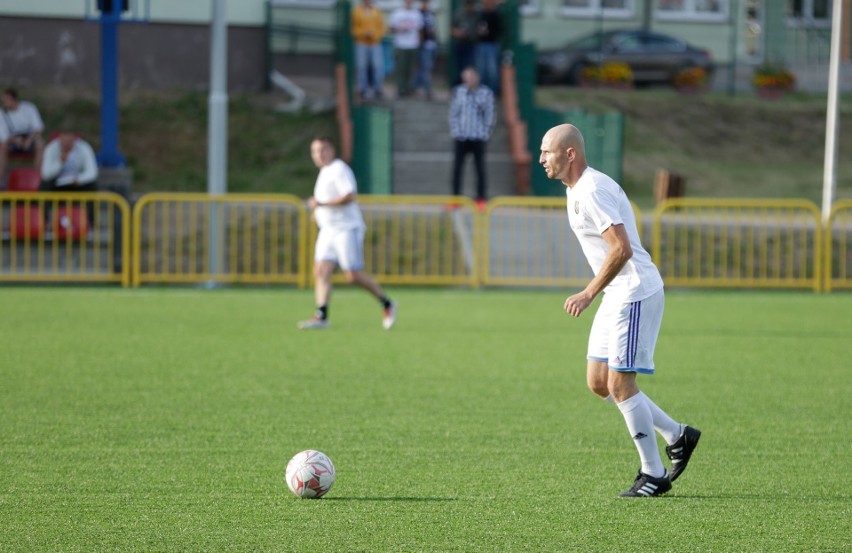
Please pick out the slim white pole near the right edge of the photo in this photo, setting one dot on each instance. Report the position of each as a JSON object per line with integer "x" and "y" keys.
{"x": 829, "y": 176}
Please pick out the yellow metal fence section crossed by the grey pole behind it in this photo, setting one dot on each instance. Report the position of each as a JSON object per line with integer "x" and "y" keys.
{"x": 235, "y": 238}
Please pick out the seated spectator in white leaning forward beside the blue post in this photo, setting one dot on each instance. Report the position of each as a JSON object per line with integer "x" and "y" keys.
{"x": 69, "y": 165}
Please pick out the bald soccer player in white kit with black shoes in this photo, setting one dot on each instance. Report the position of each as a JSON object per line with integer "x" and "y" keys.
{"x": 624, "y": 331}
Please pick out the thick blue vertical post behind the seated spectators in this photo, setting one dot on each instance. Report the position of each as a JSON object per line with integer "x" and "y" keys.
{"x": 109, "y": 156}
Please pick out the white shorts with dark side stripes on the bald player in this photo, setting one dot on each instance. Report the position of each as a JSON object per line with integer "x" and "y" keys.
{"x": 625, "y": 334}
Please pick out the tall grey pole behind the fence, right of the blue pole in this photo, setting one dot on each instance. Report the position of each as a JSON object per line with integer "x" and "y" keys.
{"x": 217, "y": 130}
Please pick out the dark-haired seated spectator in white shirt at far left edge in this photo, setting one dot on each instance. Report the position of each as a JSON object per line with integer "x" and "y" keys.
{"x": 20, "y": 129}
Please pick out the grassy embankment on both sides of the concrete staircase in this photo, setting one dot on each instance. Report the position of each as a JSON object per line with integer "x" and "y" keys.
{"x": 725, "y": 146}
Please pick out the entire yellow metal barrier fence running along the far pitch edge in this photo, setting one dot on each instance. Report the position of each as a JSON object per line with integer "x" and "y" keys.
{"x": 418, "y": 240}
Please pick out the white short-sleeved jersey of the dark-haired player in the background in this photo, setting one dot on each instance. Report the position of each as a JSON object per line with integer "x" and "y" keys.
{"x": 335, "y": 180}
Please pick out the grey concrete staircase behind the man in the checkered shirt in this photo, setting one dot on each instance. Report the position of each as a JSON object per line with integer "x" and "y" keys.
{"x": 423, "y": 152}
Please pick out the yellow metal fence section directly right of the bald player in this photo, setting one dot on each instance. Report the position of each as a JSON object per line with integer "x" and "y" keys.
{"x": 738, "y": 243}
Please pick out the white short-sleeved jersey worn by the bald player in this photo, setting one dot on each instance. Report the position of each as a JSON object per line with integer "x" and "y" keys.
{"x": 594, "y": 204}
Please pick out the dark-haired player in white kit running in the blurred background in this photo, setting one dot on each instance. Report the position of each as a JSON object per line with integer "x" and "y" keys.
{"x": 340, "y": 241}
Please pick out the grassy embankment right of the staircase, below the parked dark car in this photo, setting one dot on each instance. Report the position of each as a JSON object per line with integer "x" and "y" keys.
{"x": 740, "y": 146}
